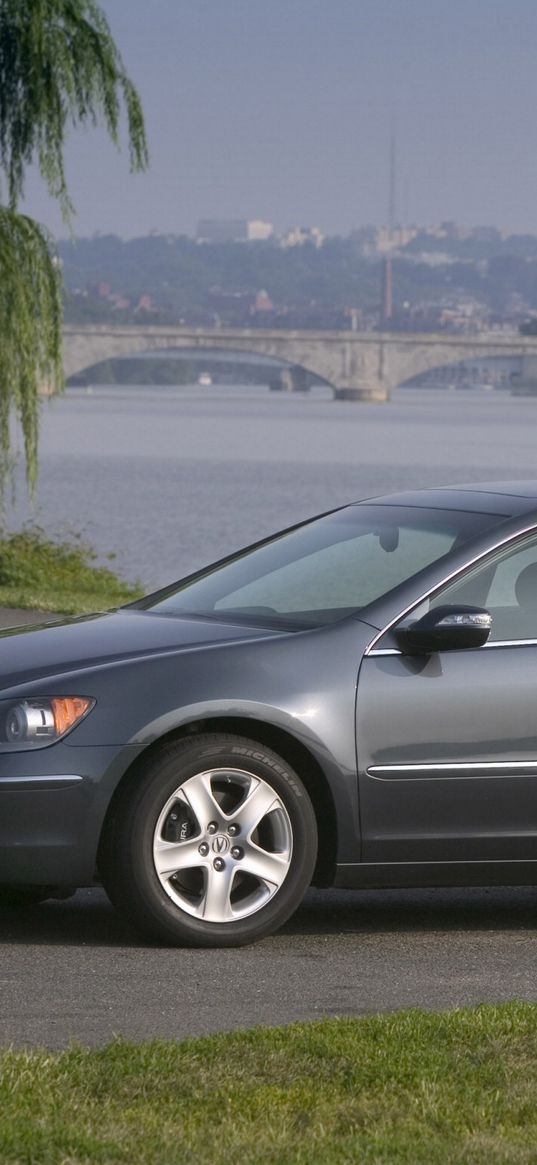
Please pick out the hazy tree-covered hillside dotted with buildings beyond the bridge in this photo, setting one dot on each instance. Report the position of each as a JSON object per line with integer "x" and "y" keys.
{"x": 182, "y": 278}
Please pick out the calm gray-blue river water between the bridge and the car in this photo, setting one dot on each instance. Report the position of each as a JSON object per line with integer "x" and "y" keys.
{"x": 171, "y": 479}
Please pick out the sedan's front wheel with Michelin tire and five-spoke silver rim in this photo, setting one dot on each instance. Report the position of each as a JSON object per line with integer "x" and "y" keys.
{"x": 234, "y": 781}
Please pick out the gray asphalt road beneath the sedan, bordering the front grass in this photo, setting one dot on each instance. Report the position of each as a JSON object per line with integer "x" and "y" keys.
{"x": 74, "y": 971}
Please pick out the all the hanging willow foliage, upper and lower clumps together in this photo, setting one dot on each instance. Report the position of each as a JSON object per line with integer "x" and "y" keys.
{"x": 59, "y": 68}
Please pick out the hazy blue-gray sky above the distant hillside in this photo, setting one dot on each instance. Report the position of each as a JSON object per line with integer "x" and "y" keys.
{"x": 281, "y": 110}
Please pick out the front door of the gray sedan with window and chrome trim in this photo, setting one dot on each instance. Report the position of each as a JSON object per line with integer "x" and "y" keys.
{"x": 448, "y": 743}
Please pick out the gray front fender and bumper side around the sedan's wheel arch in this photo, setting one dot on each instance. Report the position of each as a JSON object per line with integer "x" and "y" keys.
{"x": 303, "y": 684}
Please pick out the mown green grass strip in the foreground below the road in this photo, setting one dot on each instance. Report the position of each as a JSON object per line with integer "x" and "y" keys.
{"x": 412, "y": 1088}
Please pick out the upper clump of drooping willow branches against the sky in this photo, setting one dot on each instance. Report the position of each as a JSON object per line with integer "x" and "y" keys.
{"x": 59, "y": 67}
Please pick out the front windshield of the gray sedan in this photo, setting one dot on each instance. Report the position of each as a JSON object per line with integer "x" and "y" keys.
{"x": 324, "y": 570}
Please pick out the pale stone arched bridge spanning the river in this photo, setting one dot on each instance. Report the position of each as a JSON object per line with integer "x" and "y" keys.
{"x": 361, "y": 366}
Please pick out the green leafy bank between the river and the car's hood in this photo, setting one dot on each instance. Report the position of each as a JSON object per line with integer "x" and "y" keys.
{"x": 40, "y": 574}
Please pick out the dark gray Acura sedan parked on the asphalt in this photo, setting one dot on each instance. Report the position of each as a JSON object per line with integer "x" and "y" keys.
{"x": 351, "y": 703}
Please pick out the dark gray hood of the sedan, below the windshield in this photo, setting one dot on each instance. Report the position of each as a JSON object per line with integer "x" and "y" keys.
{"x": 31, "y": 653}
